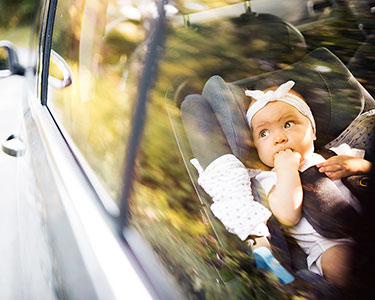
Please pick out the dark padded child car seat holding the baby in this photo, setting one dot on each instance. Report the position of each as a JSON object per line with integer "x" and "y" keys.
{"x": 342, "y": 110}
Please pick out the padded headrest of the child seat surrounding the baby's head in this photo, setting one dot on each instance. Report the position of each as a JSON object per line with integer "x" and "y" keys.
{"x": 333, "y": 94}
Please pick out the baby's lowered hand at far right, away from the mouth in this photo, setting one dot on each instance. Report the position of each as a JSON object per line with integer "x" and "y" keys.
{"x": 340, "y": 166}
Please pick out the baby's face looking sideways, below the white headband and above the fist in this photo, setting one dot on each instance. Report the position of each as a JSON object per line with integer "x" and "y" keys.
{"x": 279, "y": 126}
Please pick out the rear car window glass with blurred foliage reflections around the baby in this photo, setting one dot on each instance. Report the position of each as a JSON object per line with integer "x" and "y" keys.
{"x": 245, "y": 45}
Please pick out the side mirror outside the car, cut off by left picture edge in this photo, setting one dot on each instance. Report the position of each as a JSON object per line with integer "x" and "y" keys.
{"x": 9, "y": 64}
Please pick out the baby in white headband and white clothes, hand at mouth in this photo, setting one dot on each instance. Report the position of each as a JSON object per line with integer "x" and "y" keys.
{"x": 283, "y": 131}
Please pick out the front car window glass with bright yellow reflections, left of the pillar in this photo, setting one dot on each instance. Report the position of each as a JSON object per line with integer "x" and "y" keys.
{"x": 97, "y": 40}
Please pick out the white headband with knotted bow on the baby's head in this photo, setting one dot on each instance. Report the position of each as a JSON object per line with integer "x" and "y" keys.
{"x": 281, "y": 94}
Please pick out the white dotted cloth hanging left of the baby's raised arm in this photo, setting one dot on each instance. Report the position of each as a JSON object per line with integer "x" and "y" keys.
{"x": 227, "y": 181}
